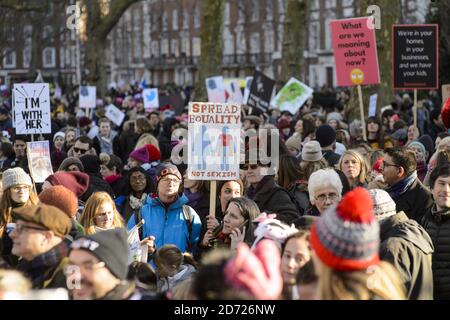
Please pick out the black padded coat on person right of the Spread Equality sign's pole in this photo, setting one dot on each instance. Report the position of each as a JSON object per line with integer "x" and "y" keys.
{"x": 271, "y": 198}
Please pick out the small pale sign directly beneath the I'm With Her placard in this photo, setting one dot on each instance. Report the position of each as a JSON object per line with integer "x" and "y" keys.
{"x": 39, "y": 162}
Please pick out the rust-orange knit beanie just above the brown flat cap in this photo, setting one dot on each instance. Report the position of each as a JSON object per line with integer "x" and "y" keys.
{"x": 62, "y": 198}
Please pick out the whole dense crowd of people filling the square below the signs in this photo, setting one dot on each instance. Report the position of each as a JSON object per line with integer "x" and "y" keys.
{"x": 338, "y": 218}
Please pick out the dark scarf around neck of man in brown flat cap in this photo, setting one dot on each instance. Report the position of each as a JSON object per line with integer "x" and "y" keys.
{"x": 41, "y": 266}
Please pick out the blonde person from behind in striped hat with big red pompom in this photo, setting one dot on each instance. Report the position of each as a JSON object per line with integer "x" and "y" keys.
{"x": 345, "y": 242}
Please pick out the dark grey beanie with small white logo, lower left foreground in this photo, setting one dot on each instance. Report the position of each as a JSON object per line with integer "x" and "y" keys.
{"x": 109, "y": 246}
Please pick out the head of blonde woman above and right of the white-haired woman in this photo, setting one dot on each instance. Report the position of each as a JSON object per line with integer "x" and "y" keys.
{"x": 355, "y": 168}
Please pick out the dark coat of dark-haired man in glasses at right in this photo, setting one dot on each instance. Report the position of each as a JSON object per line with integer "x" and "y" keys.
{"x": 415, "y": 202}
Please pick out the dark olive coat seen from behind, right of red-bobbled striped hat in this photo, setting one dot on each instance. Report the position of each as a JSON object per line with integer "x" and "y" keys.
{"x": 408, "y": 247}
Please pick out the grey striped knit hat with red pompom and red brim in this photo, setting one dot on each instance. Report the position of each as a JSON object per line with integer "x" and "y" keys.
{"x": 346, "y": 237}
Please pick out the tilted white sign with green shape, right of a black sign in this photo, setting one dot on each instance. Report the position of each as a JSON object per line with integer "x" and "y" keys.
{"x": 292, "y": 96}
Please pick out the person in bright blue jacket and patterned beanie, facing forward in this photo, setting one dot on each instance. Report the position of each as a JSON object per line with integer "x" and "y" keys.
{"x": 168, "y": 220}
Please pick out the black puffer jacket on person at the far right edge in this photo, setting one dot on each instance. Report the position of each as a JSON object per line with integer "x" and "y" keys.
{"x": 437, "y": 224}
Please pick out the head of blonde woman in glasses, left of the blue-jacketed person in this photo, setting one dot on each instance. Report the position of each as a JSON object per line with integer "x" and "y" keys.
{"x": 100, "y": 214}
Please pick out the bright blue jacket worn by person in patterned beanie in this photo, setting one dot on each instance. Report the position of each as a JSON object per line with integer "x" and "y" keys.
{"x": 168, "y": 226}
